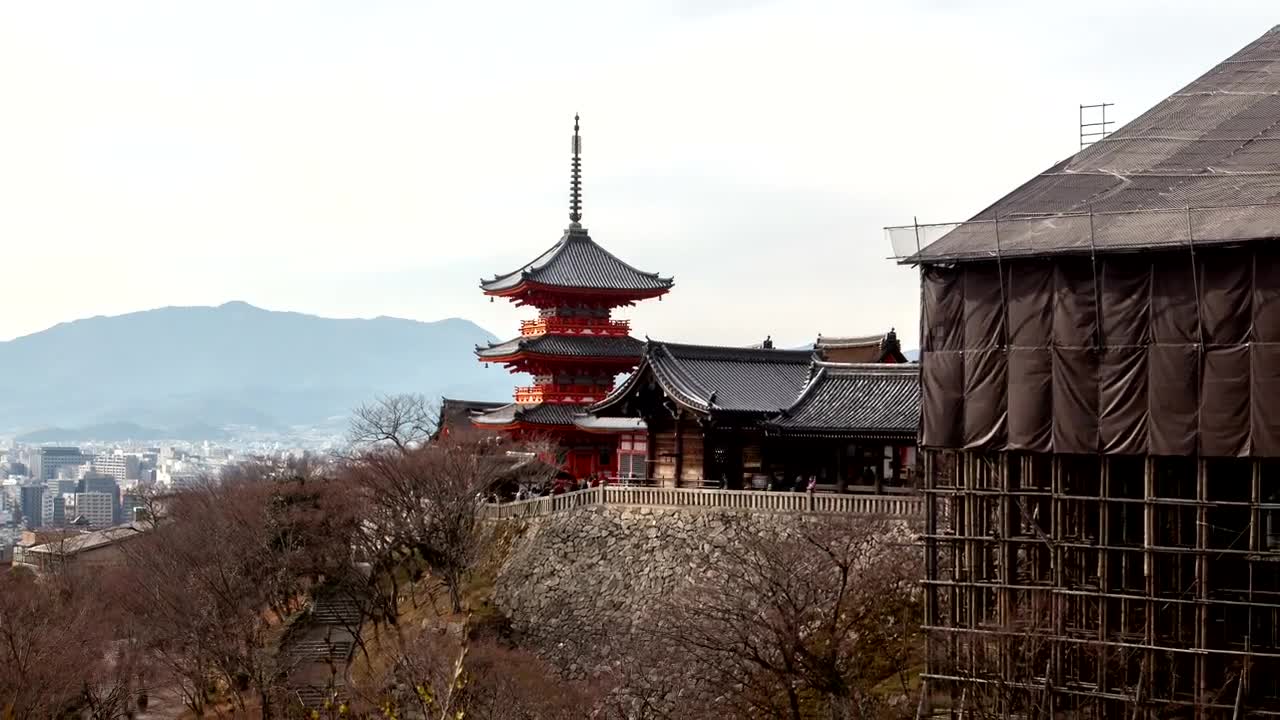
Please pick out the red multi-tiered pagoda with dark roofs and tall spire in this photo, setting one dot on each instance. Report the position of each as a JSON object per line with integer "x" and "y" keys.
{"x": 574, "y": 349}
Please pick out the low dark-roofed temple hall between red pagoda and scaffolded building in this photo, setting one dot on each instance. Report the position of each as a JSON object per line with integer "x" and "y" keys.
{"x": 764, "y": 418}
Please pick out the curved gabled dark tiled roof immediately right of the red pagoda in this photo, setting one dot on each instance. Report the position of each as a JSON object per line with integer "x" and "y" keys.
{"x": 711, "y": 379}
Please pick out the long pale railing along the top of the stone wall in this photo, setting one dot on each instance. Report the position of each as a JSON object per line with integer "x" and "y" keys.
{"x": 886, "y": 505}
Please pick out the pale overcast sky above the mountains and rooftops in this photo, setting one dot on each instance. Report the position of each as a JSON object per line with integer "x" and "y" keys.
{"x": 378, "y": 158}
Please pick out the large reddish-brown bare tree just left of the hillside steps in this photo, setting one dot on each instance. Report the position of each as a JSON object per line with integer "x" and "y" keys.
{"x": 213, "y": 585}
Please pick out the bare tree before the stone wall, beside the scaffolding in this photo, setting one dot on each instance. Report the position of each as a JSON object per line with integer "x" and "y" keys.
{"x": 808, "y": 625}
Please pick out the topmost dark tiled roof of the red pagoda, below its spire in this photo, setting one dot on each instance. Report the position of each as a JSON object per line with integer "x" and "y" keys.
{"x": 577, "y": 262}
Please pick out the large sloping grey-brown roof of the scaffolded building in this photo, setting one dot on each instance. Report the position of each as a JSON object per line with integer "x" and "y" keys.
{"x": 1214, "y": 147}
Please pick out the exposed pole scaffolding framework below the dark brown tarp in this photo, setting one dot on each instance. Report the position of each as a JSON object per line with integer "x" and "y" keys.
{"x": 1103, "y": 586}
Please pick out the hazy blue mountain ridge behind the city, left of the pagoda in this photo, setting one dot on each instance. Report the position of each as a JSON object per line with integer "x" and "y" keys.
{"x": 177, "y": 368}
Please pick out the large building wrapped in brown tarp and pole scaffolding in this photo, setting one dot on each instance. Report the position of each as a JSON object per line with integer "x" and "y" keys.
{"x": 1101, "y": 422}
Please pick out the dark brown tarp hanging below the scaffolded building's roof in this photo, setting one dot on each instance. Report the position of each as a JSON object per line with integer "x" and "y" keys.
{"x": 1160, "y": 354}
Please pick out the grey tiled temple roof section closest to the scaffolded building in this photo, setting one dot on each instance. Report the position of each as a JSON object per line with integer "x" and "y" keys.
{"x": 856, "y": 399}
